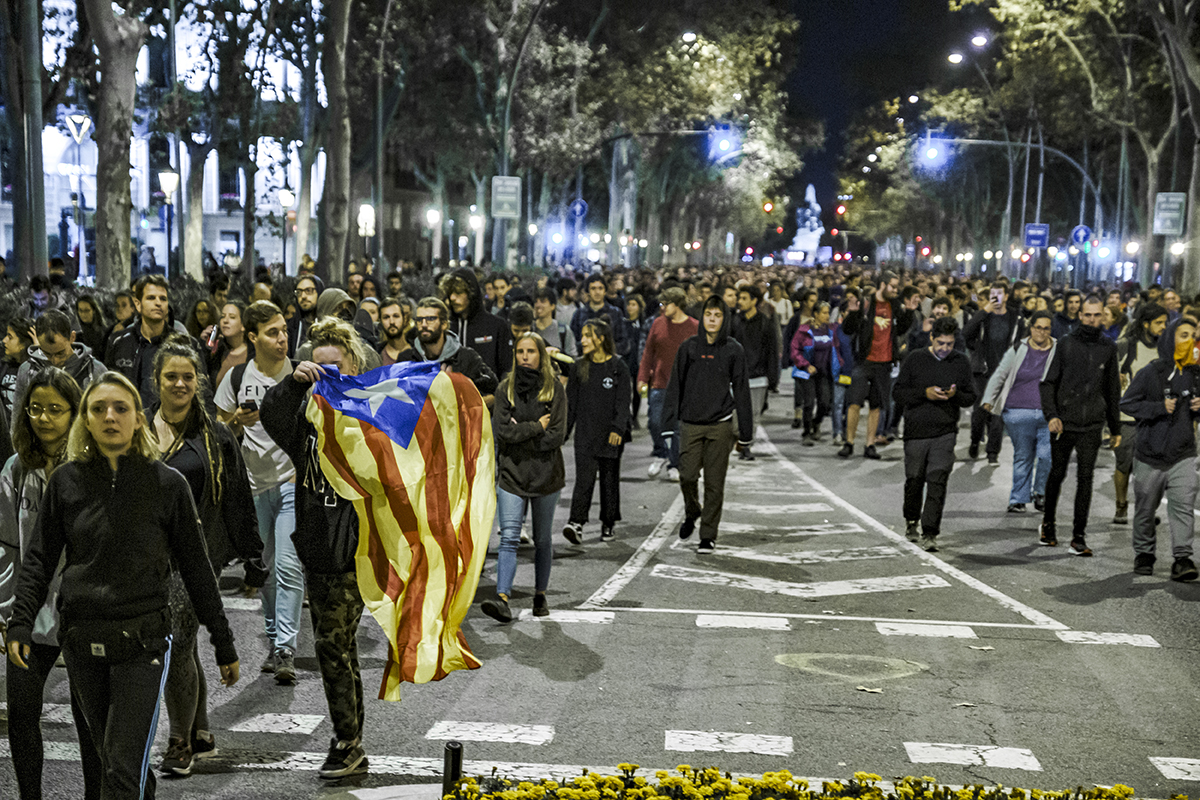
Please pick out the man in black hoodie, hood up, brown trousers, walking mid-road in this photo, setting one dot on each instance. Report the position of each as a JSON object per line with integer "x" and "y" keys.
{"x": 709, "y": 384}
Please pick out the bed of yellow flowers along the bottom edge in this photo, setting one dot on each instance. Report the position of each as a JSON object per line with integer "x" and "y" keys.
{"x": 710, "y": 784}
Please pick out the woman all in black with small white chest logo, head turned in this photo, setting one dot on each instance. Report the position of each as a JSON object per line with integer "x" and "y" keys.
{"x": 598, "y": 400}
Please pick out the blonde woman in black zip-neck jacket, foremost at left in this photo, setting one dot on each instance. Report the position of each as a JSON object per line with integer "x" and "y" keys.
{"x": 119, "y": 516}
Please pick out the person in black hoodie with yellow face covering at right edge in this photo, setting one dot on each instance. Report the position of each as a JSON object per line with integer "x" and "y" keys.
{"x": 1165, "y": 399}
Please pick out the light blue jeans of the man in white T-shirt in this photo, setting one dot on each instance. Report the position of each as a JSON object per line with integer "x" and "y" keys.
{"x": 284, "y": 591}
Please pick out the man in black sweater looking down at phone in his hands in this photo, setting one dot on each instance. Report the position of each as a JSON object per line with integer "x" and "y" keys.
{"x": 934, "y": 387}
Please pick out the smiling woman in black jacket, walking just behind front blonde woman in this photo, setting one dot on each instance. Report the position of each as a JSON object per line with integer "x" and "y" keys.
{"x": 207, "y": 454}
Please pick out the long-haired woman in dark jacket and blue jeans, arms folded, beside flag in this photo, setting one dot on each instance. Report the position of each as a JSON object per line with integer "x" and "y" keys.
{"x": 530, "y": 425}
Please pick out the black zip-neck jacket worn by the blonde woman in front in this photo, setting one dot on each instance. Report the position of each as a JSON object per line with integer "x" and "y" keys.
{"x": 122, "y": 532}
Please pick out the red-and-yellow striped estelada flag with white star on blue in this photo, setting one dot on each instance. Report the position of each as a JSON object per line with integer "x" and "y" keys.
{"x": 411, "y": 447}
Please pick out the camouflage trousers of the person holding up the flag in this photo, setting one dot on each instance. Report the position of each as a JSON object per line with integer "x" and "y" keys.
{"x": 337, "y": 609}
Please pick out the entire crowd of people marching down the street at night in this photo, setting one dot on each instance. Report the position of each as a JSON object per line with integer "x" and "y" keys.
{"x": 146, "y": 456}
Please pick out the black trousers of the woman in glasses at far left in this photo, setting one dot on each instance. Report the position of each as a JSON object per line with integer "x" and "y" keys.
{"x": 25, "y": 690}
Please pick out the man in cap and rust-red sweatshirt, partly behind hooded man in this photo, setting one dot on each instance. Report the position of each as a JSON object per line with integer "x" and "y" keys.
{"x": 670, "y": 329}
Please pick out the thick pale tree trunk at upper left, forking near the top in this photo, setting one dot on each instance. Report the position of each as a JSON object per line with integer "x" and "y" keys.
{"x": 118, "y": 40}
